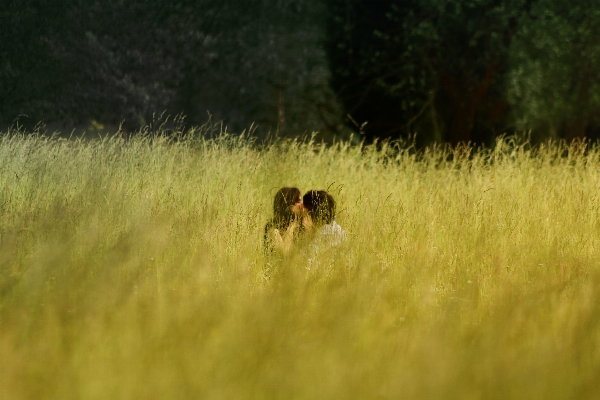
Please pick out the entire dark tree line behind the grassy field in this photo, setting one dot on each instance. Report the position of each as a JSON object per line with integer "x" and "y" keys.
{"x": 433, "y": 70}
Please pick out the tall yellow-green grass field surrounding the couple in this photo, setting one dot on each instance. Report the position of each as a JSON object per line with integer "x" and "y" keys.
{"x": 134, "y": 269}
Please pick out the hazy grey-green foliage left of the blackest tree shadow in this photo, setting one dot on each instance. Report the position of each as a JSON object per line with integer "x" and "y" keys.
{"x": 242, "y": 61}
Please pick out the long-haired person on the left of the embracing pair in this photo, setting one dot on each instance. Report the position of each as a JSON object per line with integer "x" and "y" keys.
{"x": 286, "y": 225}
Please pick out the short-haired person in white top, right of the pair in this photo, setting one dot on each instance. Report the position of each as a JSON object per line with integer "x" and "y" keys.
{"x": 320, "y": 207}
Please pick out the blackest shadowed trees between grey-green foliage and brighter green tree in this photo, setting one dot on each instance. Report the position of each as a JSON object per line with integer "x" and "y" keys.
{"x": 437, "y": 66}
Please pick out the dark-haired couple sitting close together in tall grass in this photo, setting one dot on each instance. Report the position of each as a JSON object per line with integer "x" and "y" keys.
{"x": 298, "y": 217}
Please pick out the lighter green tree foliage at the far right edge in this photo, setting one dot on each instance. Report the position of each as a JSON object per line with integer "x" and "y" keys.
{"x": 554, "y": 84}
